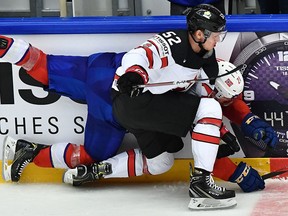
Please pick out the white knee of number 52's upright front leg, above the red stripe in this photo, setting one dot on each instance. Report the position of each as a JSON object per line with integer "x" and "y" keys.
{"x": 209, "y": 108}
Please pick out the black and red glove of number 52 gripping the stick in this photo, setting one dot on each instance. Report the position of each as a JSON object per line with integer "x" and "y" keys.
{"x": 135, "y": 75}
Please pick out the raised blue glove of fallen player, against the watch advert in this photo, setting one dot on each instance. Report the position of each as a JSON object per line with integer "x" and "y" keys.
{"x": 256, "y": 128}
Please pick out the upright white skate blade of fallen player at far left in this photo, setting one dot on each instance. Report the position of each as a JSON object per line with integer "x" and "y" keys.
{"x": 9, "y": 147}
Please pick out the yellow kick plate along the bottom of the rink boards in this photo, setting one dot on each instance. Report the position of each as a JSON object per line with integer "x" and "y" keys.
{"x": 179, "y": 172}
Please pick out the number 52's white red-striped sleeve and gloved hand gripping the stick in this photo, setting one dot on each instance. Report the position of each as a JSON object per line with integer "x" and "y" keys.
{"x": 137, "y": 63}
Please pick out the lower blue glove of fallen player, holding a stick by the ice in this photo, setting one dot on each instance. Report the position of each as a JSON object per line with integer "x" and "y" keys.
{"x": 247, "y": 178}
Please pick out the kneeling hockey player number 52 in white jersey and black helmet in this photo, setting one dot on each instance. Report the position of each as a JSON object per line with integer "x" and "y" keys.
{"x": 159, "y": 116}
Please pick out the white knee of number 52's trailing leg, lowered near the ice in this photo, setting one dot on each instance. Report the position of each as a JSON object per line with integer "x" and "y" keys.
{"x": 160, "y": 164}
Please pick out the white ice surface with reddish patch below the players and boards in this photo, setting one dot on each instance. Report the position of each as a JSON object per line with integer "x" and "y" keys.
{"x": 149, "y": 199}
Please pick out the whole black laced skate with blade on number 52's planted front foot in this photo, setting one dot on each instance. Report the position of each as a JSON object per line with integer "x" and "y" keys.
{"x": 205, "y": 194}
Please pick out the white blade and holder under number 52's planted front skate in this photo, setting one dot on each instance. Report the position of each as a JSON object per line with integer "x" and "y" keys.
{"x": 210, "y": 203}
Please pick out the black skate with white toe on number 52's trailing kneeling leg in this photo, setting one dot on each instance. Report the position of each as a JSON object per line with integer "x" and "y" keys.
{"x": 83, "y": 174}
